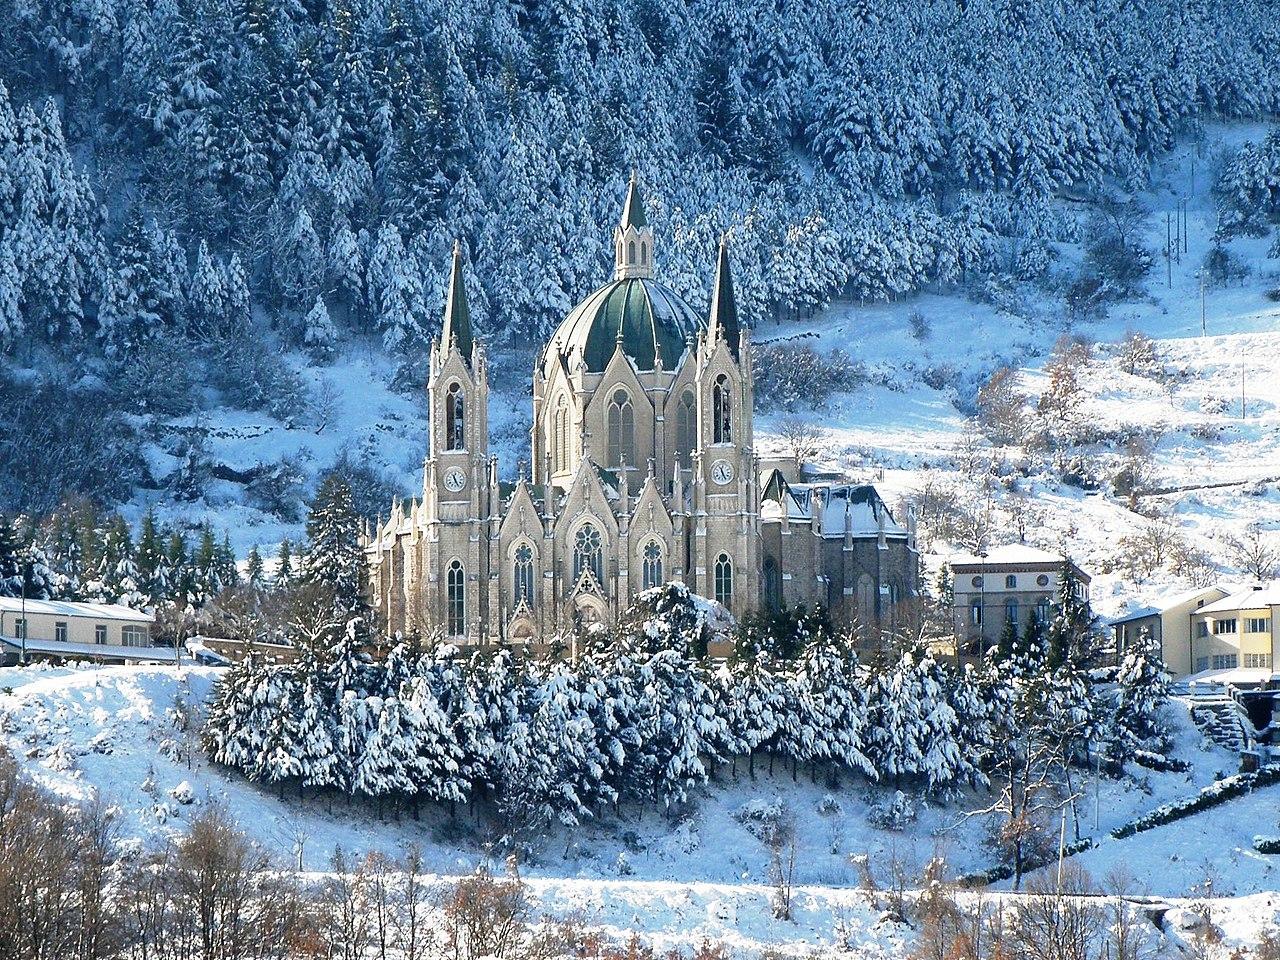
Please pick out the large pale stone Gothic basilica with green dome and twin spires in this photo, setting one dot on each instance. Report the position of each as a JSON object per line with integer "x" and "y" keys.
{"x": 643, "y": 472}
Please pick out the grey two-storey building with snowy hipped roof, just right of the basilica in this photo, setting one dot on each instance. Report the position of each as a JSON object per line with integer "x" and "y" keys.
{"x": 1005, "y": 583}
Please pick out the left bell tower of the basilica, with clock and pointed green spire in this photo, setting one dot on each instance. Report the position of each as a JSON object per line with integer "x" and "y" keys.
{"x": 458, "y": 481}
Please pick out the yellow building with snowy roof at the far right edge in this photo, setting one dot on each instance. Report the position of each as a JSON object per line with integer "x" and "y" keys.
{"x": 1238, "y": 630}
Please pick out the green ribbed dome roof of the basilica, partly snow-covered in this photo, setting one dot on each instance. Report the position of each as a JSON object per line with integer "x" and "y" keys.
{"x": 652, "y": 318}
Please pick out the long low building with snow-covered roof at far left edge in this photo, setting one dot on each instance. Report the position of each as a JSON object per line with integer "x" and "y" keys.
{"x": 107, "y": 633}
